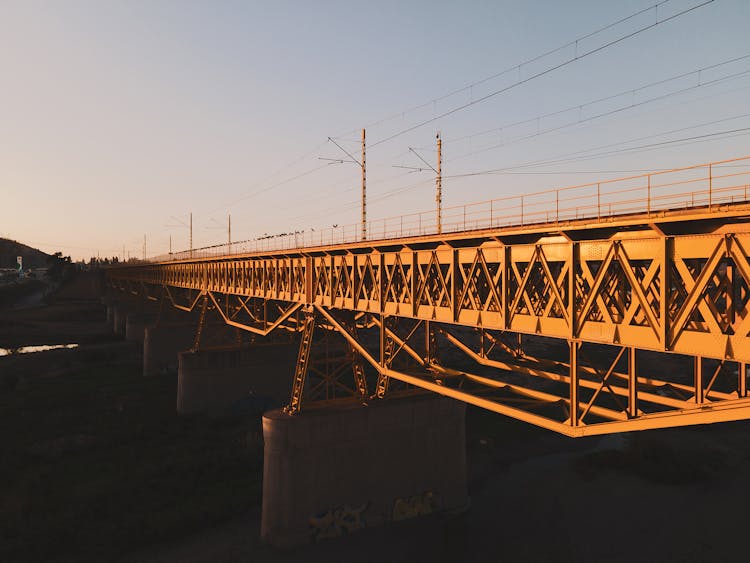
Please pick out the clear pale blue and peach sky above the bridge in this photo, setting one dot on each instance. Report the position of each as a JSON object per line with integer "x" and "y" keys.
{"x": 118, "y": 119}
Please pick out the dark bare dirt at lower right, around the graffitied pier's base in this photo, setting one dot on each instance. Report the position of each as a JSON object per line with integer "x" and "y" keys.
{"x": 671, "y": 495}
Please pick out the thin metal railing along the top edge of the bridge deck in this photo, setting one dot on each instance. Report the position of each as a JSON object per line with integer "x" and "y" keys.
{"x": 707, "y": 186}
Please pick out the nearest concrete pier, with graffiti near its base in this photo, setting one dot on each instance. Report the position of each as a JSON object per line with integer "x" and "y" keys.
{"x": 335, "y": 470}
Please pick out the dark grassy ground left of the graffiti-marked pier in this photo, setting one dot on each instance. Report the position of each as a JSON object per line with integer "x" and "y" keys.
{"x": 98, "y": 464}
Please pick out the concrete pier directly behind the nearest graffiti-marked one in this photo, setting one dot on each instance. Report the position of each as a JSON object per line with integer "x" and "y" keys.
{"x": 219, "y": 379}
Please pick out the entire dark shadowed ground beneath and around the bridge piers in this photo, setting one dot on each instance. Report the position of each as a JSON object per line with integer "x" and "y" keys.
{"x": 96, "y": 466}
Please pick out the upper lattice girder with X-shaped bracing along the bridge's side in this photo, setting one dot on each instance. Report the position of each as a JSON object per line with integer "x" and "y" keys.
{"x": 670, "y": 294}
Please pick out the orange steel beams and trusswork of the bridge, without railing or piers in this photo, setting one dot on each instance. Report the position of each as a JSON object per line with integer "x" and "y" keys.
{"x": 678, "y": 284}
